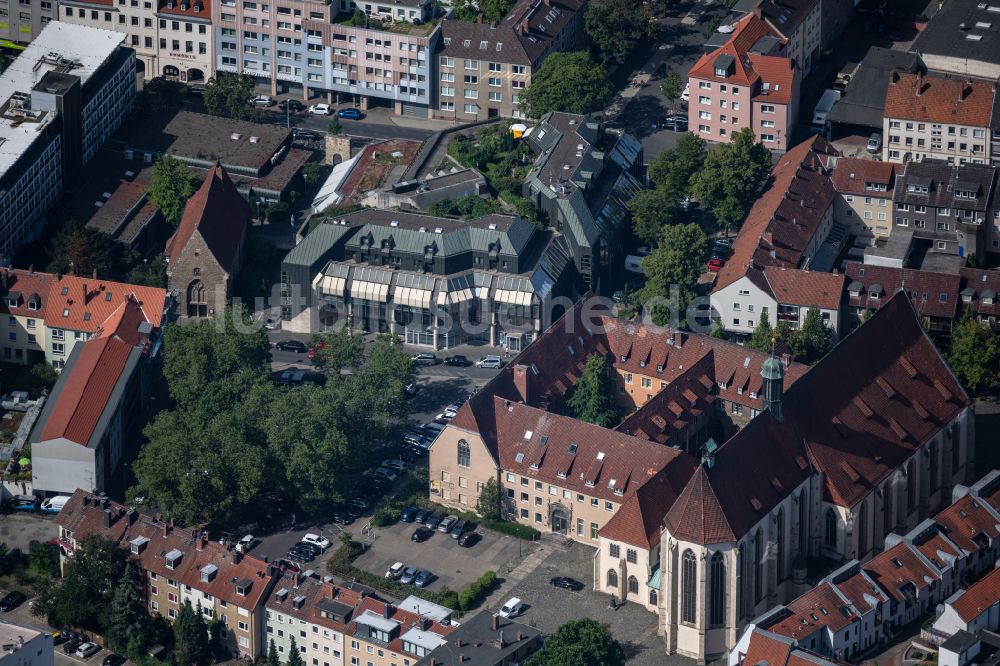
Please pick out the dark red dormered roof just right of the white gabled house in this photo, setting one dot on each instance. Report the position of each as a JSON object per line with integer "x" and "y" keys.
{"x": 923, "y": 288}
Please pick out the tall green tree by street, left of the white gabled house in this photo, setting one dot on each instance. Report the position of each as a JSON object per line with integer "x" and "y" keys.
{"x": 673, "y": 270}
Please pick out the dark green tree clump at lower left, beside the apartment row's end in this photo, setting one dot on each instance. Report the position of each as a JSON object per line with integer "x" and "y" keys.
{"x": 82, "y": 598}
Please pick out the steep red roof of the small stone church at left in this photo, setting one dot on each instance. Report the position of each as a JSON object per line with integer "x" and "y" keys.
{"x": 219, "y": 214}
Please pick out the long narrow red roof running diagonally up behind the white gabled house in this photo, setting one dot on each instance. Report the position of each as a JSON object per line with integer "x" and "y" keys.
{"x": 786, "y": 217}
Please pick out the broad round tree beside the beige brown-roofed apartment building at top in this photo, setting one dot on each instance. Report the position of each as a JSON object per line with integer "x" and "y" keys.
{"x": 570, "y": 82}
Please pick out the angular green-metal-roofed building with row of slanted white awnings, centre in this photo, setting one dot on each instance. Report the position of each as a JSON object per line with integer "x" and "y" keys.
{"x": 433, "y": 281}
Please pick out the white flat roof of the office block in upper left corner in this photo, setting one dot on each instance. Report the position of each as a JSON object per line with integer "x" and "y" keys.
{"x": 60, "y": 48}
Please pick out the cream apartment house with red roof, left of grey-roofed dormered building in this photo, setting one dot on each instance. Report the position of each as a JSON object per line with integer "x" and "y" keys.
{"x": 864, "y": 196}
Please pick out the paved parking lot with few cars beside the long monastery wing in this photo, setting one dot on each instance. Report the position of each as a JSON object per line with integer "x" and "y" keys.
{"x": 454, "y": 567}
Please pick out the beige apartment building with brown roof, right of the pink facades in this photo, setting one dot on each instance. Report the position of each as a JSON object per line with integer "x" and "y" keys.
{"x": 482, "y": 68}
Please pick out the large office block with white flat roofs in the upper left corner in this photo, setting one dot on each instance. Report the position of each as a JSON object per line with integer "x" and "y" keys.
{"x": 61, "y": 99}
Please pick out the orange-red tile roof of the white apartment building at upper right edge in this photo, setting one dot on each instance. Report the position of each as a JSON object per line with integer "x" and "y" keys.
{"x": 939, "y": 99}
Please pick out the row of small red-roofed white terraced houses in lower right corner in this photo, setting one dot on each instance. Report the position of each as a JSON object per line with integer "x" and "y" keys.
{"x": 863, "y": 604}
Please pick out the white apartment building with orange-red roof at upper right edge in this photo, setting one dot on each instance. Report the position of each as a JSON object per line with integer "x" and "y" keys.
{"x": 939, "y": 117}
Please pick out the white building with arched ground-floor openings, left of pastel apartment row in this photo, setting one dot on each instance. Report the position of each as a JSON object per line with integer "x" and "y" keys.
{"x": 171, "y": 38}
